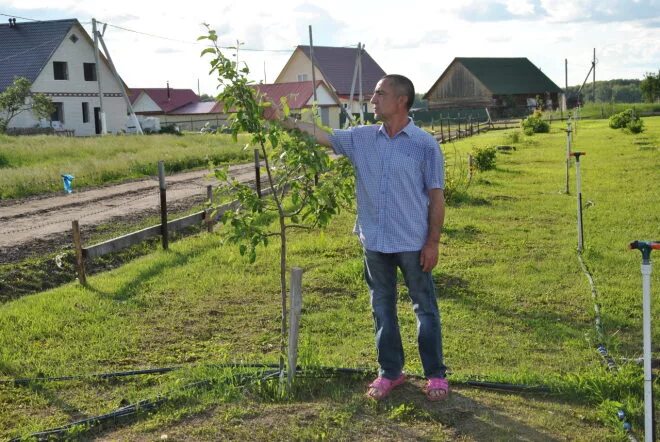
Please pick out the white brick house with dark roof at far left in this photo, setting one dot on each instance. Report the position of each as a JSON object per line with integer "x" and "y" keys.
{"x": 57, "y": 56}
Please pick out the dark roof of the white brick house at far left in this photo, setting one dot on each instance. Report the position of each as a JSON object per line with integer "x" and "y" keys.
{"x": 27, "y": 47}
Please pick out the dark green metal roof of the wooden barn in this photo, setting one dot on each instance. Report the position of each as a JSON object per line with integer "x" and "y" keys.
{"x": 509, "y": 76}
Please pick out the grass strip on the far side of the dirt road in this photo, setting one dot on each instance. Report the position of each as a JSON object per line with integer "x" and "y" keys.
{"x": 33, "y": 165}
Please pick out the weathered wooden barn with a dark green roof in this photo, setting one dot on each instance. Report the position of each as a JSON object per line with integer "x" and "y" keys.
{"x": 505, "y": 86}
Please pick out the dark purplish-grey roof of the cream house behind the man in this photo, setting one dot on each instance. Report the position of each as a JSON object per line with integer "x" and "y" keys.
{"x": 338, "y": 64}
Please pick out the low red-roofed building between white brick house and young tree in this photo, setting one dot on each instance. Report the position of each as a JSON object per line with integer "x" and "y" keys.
{"x": 181, "y": 107}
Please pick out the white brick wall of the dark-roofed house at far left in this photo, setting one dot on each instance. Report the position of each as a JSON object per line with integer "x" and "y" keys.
{"x": 75, "y": 90}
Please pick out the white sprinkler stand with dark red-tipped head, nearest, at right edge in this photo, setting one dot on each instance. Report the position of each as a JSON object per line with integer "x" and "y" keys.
{"x": 649, "y": 421}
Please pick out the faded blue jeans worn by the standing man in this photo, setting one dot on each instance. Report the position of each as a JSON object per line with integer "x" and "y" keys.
{"x": 380, "y": 272}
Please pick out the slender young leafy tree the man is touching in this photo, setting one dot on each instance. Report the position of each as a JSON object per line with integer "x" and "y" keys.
{"x": 307, "y": 187}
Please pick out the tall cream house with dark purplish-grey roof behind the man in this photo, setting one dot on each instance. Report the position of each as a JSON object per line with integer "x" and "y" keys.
{"x": 335, "y": 66}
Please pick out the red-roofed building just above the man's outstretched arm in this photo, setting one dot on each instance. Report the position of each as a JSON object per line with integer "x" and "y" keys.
{"x": 300, "y": 96}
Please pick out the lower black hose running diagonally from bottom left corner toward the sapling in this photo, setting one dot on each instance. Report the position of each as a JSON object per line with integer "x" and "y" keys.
{"x": 127, "y": 410}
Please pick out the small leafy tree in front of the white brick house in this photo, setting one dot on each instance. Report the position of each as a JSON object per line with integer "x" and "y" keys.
{"x": 17, "y": 98}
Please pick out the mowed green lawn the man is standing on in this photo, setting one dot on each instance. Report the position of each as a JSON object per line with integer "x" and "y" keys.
{"x": 515, "y": 305}
